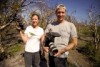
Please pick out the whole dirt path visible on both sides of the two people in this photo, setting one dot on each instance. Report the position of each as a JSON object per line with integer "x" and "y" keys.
{"x": 74, "y": 58}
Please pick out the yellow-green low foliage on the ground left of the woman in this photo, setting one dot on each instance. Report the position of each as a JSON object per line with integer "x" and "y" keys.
{"x": 11, "y": 51}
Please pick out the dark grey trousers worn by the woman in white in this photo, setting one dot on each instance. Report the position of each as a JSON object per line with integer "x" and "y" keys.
{"x": 32, "y": 59}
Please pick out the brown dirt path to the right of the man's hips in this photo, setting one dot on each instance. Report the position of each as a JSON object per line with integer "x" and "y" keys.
{"x": 78, "y": 59}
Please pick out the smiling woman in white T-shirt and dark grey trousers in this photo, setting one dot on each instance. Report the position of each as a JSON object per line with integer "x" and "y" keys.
{"x": 32, "y": 38}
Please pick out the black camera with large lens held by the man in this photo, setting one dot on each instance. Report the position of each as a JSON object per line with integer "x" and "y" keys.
{"x": 49, "y": 42}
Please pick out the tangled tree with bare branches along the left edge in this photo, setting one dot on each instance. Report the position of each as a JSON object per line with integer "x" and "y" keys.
{"x": 9, "y": 10}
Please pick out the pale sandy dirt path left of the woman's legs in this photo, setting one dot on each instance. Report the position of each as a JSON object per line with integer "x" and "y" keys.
{"x": 16, "y": 61}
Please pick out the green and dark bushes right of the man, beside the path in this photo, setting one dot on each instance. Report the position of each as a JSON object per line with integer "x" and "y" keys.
{"x": 88, "y": 45}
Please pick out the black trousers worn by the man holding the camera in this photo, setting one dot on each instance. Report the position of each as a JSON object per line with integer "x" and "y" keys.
{"x": 57, "y": 62}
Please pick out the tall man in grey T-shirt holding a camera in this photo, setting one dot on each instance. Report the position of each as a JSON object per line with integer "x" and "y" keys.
{"x": 66, "y": 41}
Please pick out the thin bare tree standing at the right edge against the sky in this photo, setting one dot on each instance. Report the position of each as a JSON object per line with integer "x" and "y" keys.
{"x": 94, "y": 22}
